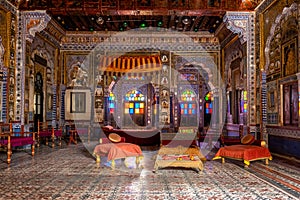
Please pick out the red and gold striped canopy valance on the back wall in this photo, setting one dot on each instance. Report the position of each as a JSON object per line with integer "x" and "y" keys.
{"x": 130, "y": 64}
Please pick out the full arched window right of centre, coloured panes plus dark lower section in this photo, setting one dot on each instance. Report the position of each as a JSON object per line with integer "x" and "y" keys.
{"x": 188, "y": 108}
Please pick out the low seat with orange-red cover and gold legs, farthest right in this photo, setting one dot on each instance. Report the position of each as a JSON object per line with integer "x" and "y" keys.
{"x": 247, "y": 153}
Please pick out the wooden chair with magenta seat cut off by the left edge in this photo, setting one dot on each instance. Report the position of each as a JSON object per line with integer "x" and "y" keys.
{"x": 9, "y": 140}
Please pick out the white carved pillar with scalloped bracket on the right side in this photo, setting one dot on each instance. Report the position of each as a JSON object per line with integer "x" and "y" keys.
{"x": 243, "y": 23}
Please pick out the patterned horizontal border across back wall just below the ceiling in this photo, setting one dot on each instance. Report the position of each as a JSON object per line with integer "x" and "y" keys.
{"x": 132, "y": 40}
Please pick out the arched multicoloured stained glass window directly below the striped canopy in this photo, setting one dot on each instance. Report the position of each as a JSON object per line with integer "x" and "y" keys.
{"x": 135, "y": 102}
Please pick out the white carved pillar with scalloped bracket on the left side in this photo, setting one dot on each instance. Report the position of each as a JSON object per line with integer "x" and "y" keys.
{"x": 29, "y": 23}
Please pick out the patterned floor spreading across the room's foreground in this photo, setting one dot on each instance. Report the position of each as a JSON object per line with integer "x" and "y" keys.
{"x": 70, "y": 172}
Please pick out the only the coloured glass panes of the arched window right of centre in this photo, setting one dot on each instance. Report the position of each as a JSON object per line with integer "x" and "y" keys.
{"x": 188, "y": 105}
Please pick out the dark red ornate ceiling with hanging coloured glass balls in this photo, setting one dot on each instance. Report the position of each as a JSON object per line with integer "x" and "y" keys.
{"x": 121, "y": 15}
